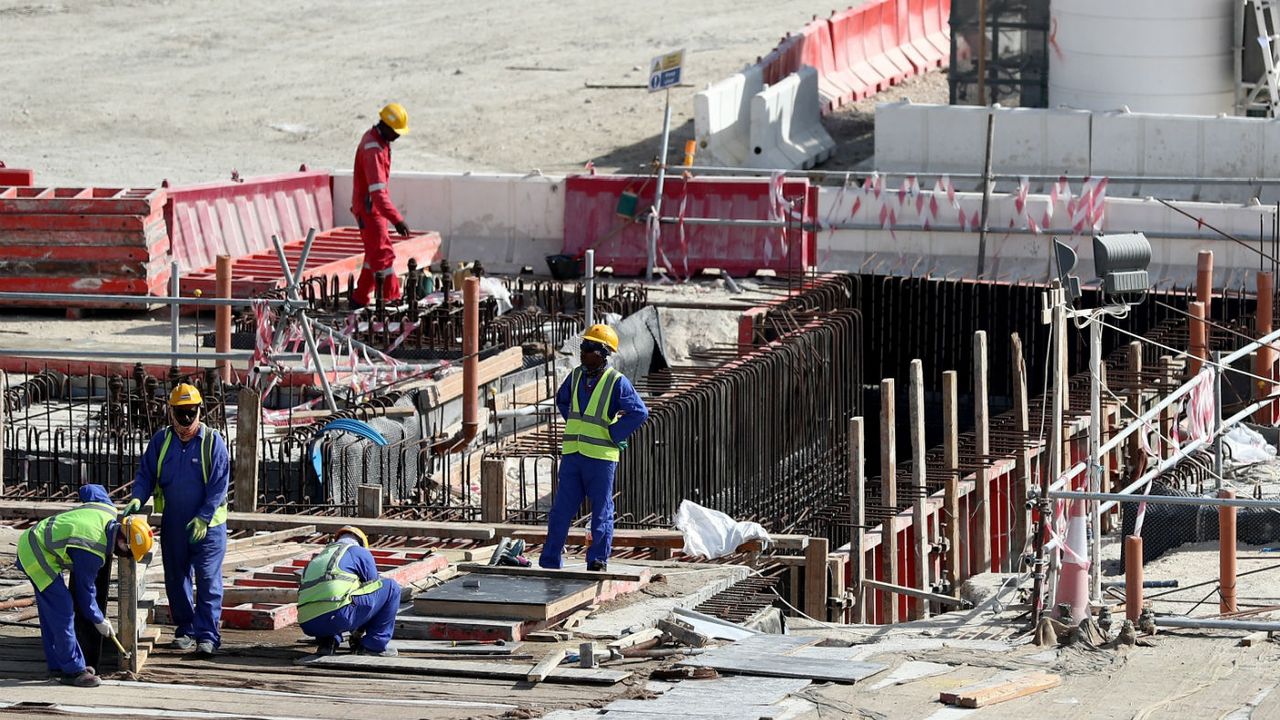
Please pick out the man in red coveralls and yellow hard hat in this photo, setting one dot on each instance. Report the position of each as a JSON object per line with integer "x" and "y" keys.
{"x": 373, "y": 208}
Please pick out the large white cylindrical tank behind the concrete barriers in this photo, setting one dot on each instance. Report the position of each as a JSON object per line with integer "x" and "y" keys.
{"x": 1150, "y": 56}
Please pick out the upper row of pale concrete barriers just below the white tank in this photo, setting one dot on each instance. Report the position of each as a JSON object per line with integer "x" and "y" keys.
{"x": 941, "y": 139}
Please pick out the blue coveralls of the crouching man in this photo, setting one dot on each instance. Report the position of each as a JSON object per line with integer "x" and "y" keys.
{"x": 374, "y": 614}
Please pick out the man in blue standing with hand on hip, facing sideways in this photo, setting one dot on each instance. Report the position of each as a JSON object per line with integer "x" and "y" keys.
{"x": 601, "y": 411}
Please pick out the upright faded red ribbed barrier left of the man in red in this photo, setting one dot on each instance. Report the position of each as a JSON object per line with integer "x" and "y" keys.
{"x": 239, "y": 218}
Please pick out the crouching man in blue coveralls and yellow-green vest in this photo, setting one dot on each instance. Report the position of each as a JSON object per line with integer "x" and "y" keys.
{"x": 341, "y": 593}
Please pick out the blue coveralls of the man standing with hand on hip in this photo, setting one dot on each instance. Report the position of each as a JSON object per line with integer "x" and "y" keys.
{"x": 587, "y": 477}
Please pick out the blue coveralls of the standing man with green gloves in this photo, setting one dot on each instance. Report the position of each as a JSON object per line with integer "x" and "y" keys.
{"x": 186, "y": 496}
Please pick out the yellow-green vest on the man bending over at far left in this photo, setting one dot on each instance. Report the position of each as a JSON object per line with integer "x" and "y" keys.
{"x": 43, "y": 549}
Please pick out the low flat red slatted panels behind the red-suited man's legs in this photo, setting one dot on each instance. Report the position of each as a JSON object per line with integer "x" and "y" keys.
{"x": 335, "y": 253}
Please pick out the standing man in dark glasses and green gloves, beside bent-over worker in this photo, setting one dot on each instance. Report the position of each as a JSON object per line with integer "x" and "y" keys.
{"x": 188, "y": 468}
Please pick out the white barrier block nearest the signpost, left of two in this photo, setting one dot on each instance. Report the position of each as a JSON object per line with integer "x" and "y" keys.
{"x": 723, "y": 117}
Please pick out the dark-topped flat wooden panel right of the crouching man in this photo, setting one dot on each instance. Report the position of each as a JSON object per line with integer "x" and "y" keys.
{"x": 506, "y": 598}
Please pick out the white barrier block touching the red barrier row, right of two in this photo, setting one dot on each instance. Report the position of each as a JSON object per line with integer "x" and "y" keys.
{"x": 787, "y": 125}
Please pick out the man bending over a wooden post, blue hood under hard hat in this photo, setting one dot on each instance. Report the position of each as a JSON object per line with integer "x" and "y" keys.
{"x": 77, "y": 540}
